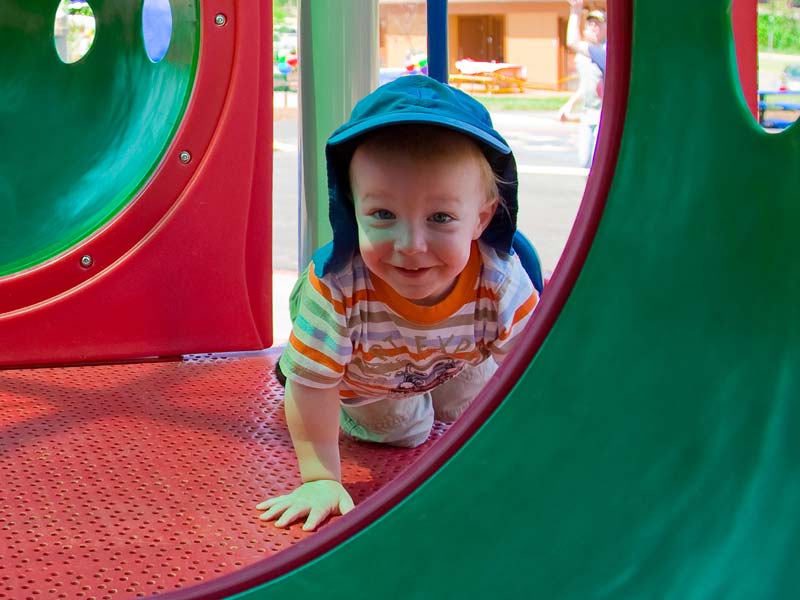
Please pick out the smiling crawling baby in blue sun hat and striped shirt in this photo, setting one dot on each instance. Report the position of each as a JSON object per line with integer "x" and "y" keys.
{"x": 404, "y": 316}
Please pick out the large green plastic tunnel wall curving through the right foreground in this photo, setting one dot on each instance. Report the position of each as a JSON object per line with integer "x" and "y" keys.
{"x": 652, "y": 446}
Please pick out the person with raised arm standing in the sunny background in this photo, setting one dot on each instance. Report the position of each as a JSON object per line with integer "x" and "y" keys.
{"x": 589, "y": 46}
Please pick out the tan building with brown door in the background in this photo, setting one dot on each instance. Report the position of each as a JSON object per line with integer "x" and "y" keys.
{"x": 531, "y": 33}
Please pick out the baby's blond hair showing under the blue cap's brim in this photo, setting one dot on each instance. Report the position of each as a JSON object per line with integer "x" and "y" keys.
{"x": 423, "y": 141}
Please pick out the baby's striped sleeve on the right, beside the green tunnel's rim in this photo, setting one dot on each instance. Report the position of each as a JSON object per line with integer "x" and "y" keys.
{"x": 516, "y": 298}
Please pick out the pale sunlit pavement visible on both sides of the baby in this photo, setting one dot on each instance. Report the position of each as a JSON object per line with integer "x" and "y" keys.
{"x": 551, "y": 188}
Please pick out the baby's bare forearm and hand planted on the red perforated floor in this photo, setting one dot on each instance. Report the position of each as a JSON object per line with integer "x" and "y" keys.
{"x": 313, "y": 418}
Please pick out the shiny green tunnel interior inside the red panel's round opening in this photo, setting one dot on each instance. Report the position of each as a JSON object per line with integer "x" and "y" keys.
{"x": 80, "y": 139}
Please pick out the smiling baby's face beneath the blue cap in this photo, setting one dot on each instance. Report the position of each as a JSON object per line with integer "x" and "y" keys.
{"x": 417, "y": 219}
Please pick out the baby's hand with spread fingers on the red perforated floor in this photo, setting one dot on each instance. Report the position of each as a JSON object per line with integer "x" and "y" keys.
{"x": 317, "y": 499}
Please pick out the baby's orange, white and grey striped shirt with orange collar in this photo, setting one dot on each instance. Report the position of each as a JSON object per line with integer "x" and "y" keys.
{"x": 354, "y": 331}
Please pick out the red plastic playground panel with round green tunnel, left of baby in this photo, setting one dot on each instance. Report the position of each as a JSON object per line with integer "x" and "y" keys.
{"x": 134, "y": 208}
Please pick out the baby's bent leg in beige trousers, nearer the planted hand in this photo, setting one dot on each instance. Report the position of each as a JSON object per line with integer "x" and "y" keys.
{"x": 404, "y": 422}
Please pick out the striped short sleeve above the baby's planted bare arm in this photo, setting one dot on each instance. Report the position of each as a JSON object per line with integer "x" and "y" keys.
{"x": 319, "y": 346}
